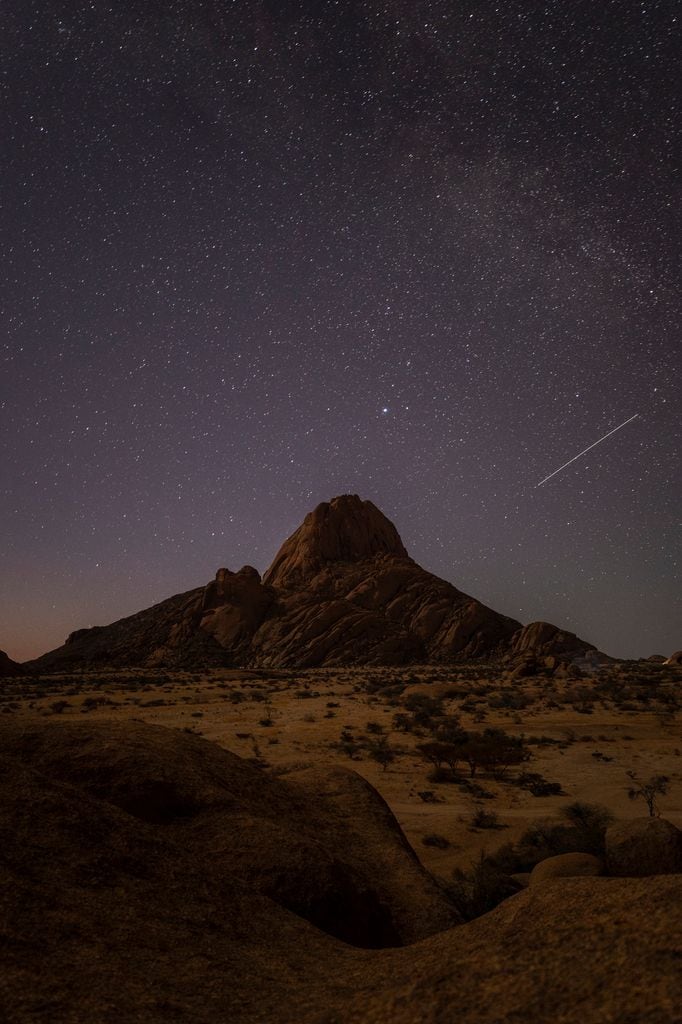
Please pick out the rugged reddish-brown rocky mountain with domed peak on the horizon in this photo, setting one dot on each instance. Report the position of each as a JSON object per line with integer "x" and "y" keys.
{"x": 343, "y": 590}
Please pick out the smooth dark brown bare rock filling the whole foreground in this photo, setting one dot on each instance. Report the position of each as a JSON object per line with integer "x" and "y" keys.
{"x": 114, "y": 909}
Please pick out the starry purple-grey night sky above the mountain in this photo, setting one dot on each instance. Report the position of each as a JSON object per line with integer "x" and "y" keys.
{"x": 261, "y": 253}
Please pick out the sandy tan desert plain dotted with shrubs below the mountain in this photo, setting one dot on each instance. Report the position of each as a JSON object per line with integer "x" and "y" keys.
{"x": 293, "y": 719}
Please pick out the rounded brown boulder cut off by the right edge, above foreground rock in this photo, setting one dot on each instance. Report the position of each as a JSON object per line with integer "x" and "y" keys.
{"x": 643, "y": 847}
